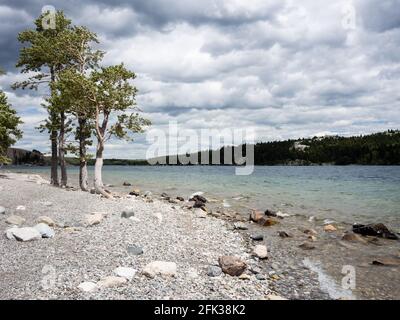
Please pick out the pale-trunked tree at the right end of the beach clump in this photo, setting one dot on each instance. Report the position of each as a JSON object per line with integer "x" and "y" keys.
{"x": 112, "y": 96}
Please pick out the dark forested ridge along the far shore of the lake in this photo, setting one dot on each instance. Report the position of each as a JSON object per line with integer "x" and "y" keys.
{"x": 375, "y": 149}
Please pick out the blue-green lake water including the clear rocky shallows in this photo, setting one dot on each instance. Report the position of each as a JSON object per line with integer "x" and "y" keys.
{"x": 345, "y": 194}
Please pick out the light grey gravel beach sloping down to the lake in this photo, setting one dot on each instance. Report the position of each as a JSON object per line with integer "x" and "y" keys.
{"x": 54, "y": 268}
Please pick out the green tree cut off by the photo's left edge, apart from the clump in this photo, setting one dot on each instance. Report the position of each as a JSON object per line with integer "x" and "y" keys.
{"x": 9, "y": 132}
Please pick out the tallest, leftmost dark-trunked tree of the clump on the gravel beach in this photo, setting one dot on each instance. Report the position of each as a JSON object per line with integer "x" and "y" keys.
{"x": 45, "y": 56}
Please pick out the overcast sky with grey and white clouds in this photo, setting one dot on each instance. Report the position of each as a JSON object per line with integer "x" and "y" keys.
{"x": 281, "y": 68}
